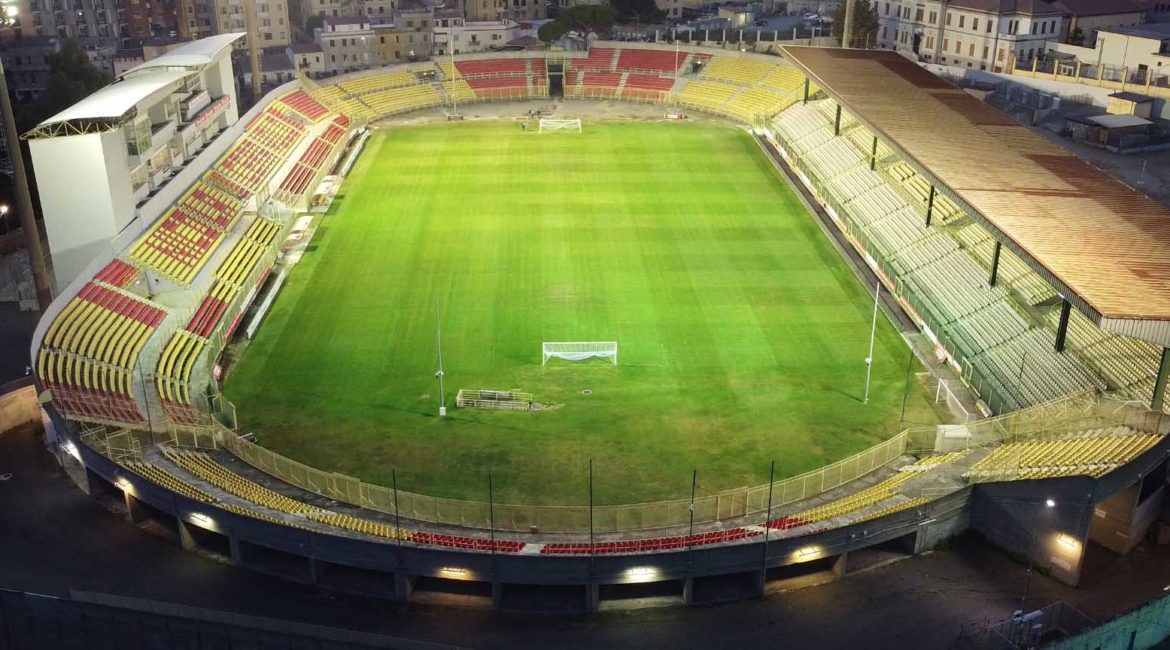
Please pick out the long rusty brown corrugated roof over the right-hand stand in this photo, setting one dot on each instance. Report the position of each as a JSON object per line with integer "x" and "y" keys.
{"x": 1102, "y": 244}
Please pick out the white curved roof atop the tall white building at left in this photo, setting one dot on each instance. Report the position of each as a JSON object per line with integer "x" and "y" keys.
{"x": 111, "y": 103}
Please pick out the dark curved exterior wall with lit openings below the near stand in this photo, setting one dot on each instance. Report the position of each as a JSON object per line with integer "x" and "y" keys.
{"x": 308, "y": 556}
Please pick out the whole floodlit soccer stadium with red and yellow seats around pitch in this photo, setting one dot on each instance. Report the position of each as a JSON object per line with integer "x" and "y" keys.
{"x": 561, "y": 330}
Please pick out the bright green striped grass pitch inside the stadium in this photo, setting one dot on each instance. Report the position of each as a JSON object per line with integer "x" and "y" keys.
{"x": 742, "y": 334}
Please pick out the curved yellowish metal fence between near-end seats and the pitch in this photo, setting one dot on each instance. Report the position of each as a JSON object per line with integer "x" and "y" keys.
{"x": 1073, "y": 413}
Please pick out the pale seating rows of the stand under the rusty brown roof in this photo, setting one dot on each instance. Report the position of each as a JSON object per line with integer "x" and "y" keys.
{"x": 937, "y": 272}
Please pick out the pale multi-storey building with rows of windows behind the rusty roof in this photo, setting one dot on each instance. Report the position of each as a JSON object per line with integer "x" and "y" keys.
{"x": 985, "y": 34}
